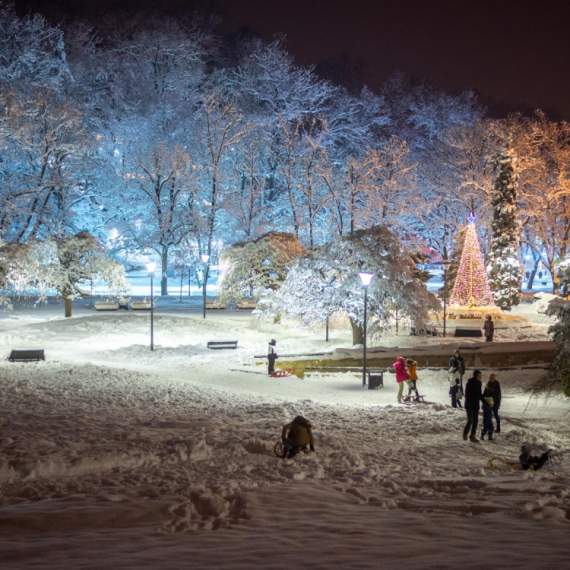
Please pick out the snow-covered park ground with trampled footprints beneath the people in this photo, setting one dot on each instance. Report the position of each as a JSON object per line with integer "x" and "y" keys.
{"x": 115, "y": 456}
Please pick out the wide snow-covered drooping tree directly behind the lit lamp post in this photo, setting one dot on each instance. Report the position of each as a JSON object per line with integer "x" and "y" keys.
{"x": 325, "y": 281}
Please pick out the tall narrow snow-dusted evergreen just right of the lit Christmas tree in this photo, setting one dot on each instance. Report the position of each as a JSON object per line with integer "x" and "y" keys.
{"x": 504, "y": 279}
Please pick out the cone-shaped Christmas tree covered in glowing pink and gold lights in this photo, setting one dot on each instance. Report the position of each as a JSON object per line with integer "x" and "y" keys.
{"x": 471, "y": 284}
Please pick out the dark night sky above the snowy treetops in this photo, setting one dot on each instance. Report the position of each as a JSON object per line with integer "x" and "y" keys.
{"x": 515, "y": 53}
